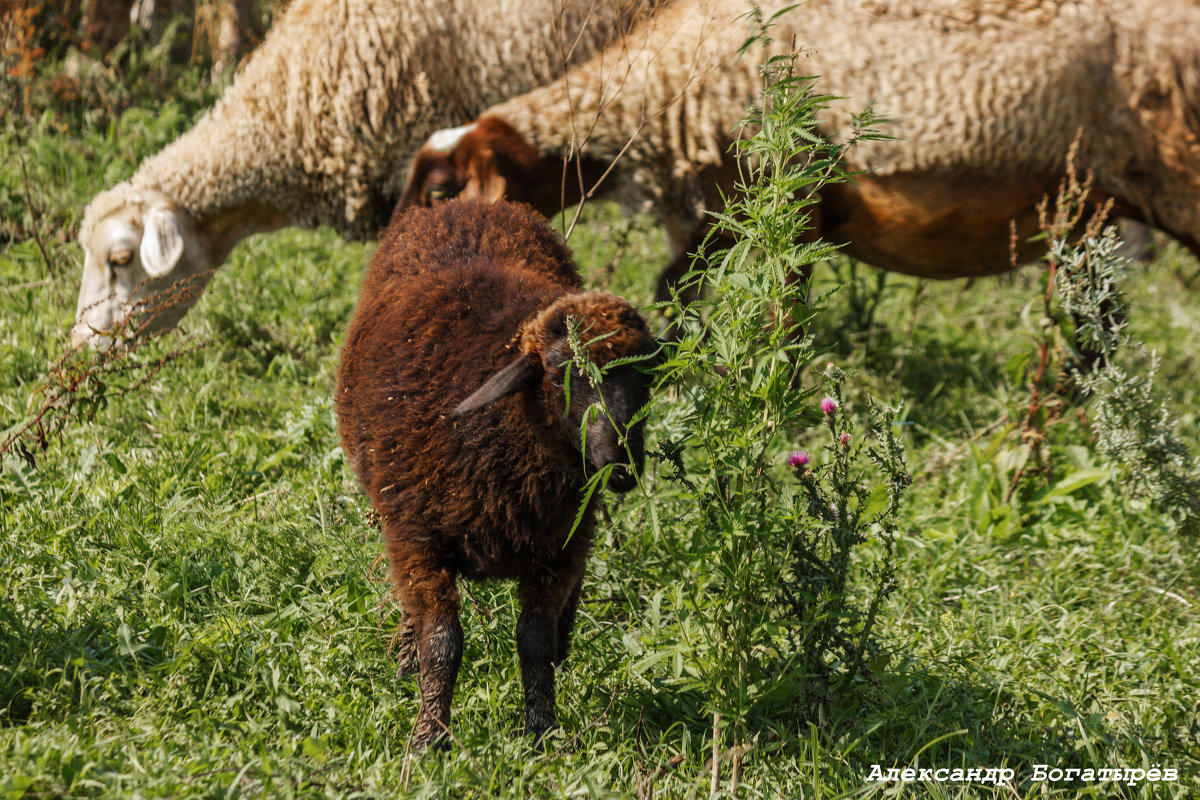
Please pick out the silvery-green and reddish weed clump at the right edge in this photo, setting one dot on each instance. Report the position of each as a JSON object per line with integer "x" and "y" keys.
{"x": 1088, "y": 354}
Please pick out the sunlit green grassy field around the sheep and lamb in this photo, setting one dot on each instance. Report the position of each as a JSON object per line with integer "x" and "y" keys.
{"x": 191, "y": 603}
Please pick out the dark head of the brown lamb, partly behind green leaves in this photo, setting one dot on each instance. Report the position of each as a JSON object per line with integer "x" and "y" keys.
{"x": 602, "y": 422}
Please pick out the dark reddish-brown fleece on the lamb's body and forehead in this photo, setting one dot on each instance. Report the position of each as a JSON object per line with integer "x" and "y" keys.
{"x": 442, "y": 291}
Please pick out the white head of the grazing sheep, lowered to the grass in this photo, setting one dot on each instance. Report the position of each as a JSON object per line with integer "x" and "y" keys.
{"x": 141, "y": 258}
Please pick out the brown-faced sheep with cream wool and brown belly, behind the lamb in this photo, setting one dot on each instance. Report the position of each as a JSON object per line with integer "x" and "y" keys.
{"x": 986, "y": 99}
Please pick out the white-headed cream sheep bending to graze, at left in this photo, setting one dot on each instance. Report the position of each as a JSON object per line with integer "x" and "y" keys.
{"x": 320, "y": 124}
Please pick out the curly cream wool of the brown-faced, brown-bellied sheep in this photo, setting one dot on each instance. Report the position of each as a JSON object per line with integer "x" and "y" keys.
{"x": 975, "y": 91}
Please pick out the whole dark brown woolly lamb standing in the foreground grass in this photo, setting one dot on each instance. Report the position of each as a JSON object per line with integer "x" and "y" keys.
{"x": 453, "y": 414}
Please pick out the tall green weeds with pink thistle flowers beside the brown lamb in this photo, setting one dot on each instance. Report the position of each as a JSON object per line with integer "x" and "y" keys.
{"x": 800, "y": 560}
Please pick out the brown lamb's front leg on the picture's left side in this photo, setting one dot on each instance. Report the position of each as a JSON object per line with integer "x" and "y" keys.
{"x": 431, "y": 599}
